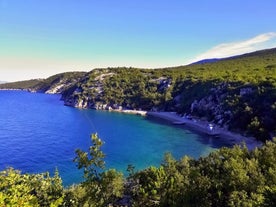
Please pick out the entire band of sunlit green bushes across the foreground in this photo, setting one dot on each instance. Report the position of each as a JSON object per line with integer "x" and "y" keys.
{"x": 227, "y": 177}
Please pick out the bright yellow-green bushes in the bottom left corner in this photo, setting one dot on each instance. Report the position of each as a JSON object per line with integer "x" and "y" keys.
{"x": 18, "y": 189}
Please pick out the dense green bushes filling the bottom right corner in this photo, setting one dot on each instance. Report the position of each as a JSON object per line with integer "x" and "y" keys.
{"x": 227, "y": 177}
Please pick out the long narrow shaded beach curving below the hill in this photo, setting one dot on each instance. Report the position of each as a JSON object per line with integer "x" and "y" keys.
{"x": 207, "y": 128}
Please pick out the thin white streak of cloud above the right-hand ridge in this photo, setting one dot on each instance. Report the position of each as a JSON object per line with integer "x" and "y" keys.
{"x": 259, "y": 42}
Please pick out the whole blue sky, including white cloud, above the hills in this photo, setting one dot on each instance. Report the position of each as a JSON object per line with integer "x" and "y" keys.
{"x": 42, "y": 38}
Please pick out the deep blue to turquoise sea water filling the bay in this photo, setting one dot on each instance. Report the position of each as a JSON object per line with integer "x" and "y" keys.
{"x": 38, "y": 133}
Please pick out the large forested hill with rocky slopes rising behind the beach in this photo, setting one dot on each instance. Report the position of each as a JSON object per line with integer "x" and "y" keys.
{"x": 238, "y": 93}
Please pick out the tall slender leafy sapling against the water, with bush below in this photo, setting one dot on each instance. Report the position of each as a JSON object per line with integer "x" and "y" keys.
{"x": 102, "y": 188}
